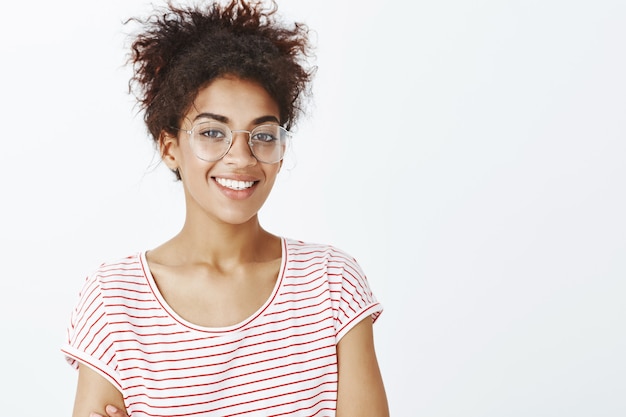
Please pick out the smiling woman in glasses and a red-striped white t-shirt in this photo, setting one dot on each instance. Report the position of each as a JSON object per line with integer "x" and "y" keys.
{"x": 225, "y": 318}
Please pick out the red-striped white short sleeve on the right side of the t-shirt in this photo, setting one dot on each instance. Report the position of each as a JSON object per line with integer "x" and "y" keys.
{"x": 353, "y": 301}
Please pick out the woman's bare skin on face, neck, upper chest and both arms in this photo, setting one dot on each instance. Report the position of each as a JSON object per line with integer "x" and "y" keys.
{"x": 222, "y": 249}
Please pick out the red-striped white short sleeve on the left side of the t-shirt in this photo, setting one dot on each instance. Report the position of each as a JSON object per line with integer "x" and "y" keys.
{"x": 88, "y": 338}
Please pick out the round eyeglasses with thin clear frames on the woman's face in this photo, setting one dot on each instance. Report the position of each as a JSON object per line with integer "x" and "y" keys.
{"x": 211, "y": 141}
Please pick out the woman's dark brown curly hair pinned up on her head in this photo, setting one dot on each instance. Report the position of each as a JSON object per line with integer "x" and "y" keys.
{"x": 182, "y": 49}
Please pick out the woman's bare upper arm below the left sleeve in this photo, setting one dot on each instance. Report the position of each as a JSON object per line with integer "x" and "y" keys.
{"x": 93, "y": 392}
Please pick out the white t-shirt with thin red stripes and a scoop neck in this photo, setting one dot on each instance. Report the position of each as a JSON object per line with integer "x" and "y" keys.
{"x": 281, "y": 361}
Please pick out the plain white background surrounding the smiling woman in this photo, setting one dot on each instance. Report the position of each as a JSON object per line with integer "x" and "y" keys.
{"x": 470, "y": 155}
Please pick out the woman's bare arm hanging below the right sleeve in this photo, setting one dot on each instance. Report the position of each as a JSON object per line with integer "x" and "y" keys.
{"x": 361, "y": 391}
